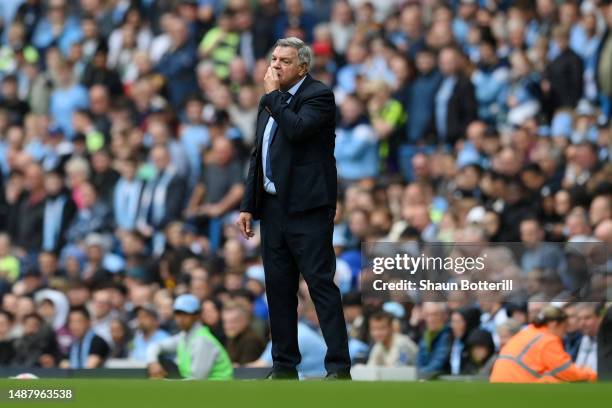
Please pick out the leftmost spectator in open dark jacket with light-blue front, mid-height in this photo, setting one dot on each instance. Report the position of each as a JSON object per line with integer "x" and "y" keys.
{"x": 58, "y": 213}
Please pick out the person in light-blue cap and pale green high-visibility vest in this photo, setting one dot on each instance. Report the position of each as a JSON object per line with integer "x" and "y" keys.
{"x": 199, "y": 354}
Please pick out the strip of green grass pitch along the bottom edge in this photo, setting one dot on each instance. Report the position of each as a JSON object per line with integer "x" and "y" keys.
{"x": 97, "y": 393}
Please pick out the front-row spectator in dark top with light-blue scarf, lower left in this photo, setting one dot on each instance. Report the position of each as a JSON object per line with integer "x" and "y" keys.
{"x": 88, "y": 350}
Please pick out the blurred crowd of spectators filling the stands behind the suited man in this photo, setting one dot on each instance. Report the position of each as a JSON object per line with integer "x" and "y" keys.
{"x": 125, "y": 127}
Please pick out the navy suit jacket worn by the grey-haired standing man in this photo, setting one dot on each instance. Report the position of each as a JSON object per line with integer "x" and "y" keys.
{"x": 302, "y": 151}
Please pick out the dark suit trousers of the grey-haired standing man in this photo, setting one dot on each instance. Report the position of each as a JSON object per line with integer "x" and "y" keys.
{"x": 293, "y": 244}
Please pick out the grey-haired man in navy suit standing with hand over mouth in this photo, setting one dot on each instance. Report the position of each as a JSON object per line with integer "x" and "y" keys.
{"x": 292, "y": 187}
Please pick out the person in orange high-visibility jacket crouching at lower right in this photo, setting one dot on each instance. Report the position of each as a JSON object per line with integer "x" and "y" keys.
{"x": 536, "y": 354}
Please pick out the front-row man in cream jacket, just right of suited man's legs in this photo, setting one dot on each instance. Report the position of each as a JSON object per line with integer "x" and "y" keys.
{"x": 390, "y": 349}
